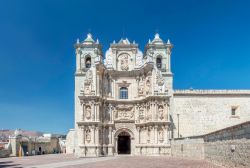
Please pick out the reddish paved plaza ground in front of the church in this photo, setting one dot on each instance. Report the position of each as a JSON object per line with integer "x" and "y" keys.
{"x": 69, "y": 161}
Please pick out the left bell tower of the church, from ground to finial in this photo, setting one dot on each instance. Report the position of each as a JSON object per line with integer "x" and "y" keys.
{"x": 87, "y": 94}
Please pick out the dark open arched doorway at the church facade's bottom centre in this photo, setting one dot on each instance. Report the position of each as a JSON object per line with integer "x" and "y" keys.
{"x": 124, "y": 143}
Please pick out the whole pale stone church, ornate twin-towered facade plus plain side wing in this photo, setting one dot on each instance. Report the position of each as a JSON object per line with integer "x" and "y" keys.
{"x": 126, "y": 104}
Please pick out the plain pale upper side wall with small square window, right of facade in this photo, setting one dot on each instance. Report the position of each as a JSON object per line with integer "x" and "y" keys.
{"x": 202, "y": 111}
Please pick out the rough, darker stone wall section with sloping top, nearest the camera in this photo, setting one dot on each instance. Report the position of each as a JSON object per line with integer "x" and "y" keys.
{"x": 229, "y": 147}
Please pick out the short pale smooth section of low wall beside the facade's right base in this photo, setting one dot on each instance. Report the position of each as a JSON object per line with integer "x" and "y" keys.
{"x": 192, "y": 147}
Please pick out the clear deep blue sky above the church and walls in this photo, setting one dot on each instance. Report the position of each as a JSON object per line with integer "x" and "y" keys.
{"x": 211, "y": 49}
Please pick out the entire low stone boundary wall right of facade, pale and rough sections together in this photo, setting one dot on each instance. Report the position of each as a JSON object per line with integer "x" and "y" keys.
{"x": 229, "y": 147}
